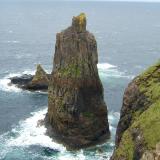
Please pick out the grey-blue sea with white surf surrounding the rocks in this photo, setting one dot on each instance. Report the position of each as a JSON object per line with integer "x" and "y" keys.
{"x": 128, "y": 39}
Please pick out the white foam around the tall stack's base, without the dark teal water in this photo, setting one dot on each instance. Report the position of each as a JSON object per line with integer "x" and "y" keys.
{"x": 27, "y": 133}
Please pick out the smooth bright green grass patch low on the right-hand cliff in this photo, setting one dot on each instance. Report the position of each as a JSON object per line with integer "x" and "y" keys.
{"x": 149, "y": 123}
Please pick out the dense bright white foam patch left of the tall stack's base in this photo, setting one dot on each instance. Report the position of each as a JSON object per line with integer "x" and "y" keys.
{"x": 30, "y": 134}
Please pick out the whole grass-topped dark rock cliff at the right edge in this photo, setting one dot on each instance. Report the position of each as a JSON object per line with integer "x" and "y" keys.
{"x": 138, "y": 132}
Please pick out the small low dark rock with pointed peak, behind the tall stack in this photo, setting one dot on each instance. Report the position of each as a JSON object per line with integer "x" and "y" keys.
{"x": 29, "y": 82}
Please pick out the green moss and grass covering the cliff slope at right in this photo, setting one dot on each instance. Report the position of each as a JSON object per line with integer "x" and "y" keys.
{"x": 146, "y": 120}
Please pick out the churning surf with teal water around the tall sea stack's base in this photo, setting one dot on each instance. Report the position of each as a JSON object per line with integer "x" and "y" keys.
{"x": 27, "y": 136}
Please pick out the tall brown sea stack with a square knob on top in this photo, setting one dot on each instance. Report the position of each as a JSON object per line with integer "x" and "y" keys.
{"x": 77, "y": 113}
